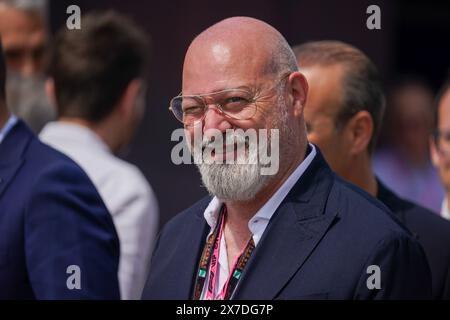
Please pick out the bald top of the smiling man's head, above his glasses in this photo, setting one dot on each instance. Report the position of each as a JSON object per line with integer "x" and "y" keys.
{"x": 236, "y": 45}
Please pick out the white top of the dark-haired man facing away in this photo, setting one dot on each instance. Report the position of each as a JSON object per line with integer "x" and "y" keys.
{"x": 125, "y": 192}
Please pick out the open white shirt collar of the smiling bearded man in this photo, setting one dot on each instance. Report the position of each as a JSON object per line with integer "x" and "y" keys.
{"x": 265, "y": 213}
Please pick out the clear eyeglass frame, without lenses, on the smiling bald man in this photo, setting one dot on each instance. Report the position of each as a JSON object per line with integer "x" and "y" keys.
{"x": 218, "y": 106}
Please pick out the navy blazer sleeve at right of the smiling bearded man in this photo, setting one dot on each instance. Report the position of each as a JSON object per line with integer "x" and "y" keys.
{"x": 403, "y": 269}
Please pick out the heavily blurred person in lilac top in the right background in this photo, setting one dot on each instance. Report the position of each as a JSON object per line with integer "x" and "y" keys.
{"x": 403, "y": 162}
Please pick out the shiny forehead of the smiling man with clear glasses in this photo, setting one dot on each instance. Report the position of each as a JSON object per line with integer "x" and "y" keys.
{"x": 216, "y": 66}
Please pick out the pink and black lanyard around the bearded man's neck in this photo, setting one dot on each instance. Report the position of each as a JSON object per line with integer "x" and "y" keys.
{"x": 210, "y": 261}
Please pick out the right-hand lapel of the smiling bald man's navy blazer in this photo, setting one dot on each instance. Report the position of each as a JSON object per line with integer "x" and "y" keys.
{"x": 291, "y": 236}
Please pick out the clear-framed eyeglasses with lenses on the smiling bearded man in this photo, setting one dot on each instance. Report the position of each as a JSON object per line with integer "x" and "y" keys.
{"x": 238, "y": 104}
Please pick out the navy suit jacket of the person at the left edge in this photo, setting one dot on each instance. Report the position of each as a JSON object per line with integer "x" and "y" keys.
{"x": 51, "y": 217}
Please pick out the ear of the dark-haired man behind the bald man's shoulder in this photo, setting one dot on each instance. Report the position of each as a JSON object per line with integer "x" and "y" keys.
{"x": 361, "y": 131}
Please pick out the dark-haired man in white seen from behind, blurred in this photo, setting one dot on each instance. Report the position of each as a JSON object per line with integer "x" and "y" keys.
{"x": 97, "y": 79}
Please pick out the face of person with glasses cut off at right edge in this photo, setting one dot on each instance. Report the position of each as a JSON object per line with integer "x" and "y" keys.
{"x": 440, "y": 143}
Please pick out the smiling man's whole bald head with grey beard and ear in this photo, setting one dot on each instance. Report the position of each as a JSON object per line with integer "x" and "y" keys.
{"x": 247, "y": 70}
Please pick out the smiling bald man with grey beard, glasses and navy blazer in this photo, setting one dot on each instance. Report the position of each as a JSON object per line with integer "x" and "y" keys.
{"x": 300, "y": 233}
